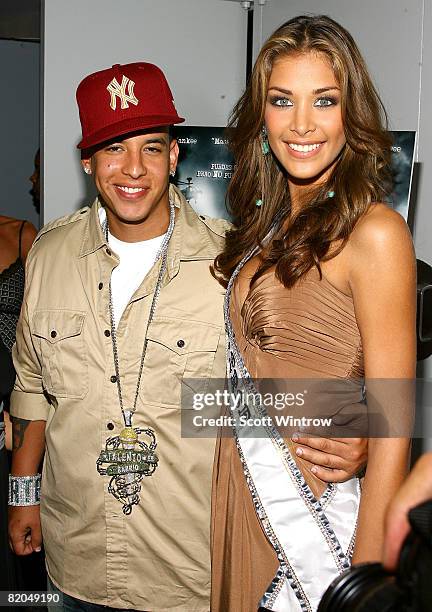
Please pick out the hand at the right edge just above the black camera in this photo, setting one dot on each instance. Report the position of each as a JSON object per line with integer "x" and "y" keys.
{"x": 416, "y": 489}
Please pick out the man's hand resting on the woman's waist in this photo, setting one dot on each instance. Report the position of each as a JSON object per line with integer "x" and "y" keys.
{"x": 334, "y": 459}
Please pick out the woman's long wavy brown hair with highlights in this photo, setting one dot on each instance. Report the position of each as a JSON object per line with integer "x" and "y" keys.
{"x": 360, "y": 177}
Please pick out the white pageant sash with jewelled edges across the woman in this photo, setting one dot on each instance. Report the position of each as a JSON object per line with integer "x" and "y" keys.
{"x": 313, "y": 539}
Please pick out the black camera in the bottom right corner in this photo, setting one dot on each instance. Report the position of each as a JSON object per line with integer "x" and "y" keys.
{"x": 368, "y": 587}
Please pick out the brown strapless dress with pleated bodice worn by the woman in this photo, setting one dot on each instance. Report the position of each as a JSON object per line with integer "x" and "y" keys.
{"x": 309, "y": 331}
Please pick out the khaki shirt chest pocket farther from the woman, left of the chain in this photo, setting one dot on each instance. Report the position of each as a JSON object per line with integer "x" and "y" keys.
{"x": 59, "y": 336}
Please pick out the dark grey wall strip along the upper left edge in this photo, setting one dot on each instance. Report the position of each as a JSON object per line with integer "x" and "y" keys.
{"x": 19, "y": 112}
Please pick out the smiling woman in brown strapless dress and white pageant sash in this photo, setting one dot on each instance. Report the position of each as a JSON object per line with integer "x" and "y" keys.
{"x": 322, "y": 289}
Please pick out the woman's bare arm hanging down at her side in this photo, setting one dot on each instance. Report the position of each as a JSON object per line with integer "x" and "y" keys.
{"x": 381, "y": 264}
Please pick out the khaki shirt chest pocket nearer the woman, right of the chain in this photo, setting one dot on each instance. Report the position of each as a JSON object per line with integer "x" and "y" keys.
{"x": 180, "y": 354}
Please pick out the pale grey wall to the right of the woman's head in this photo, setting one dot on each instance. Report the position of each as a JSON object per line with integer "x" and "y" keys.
{"x": 395, "y": 37}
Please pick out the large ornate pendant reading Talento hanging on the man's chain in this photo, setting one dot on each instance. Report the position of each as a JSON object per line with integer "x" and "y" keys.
{"x": 127, "y": 459}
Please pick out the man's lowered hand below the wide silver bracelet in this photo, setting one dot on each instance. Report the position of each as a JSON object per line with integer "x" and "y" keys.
{"x": 25, "y": 534}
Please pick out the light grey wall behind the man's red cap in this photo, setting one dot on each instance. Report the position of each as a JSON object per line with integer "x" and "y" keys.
{"x": 200, "y": 45}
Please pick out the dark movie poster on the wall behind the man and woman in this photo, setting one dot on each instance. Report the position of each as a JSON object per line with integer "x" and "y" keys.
{"x": 205, "y": 168}
